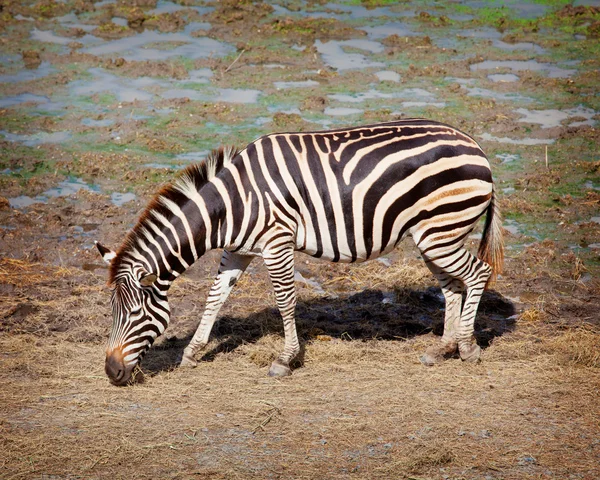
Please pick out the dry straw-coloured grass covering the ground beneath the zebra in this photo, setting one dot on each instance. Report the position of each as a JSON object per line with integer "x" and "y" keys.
{"x": 359, "y": 404}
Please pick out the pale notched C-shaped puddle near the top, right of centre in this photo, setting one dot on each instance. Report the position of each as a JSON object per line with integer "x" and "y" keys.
{"x": 335, "y": 56}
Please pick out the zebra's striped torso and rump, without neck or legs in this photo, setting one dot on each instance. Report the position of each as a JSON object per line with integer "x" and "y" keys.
{"x": 358, "y": 191}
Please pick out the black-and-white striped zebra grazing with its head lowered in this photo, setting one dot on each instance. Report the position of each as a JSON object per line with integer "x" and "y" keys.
{"x": 345, "y": 195}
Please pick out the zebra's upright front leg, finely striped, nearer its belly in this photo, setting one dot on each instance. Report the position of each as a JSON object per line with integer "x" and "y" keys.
{"x": 280, "y": 264}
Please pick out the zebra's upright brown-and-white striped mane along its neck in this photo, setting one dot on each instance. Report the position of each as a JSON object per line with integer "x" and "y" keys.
{"x": 193, "y": 177}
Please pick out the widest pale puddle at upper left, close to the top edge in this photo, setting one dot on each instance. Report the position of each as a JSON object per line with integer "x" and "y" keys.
{"x": 137, "y": 48}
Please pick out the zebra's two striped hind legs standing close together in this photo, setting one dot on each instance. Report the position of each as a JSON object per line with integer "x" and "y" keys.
{"x": 473, "y": 273}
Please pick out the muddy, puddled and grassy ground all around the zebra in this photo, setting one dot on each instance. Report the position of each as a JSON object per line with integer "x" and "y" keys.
{"x": 102, "y": 102}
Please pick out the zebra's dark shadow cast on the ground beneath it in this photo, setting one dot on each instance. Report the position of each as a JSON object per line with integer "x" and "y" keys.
{"x": 371, "y": 314}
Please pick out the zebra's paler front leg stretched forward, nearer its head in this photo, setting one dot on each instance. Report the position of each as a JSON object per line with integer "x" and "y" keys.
{"x": 231, "y": 268}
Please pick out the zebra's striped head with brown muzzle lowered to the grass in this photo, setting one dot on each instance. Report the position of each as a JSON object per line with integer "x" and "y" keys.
{"x": 140, "y": 313}
